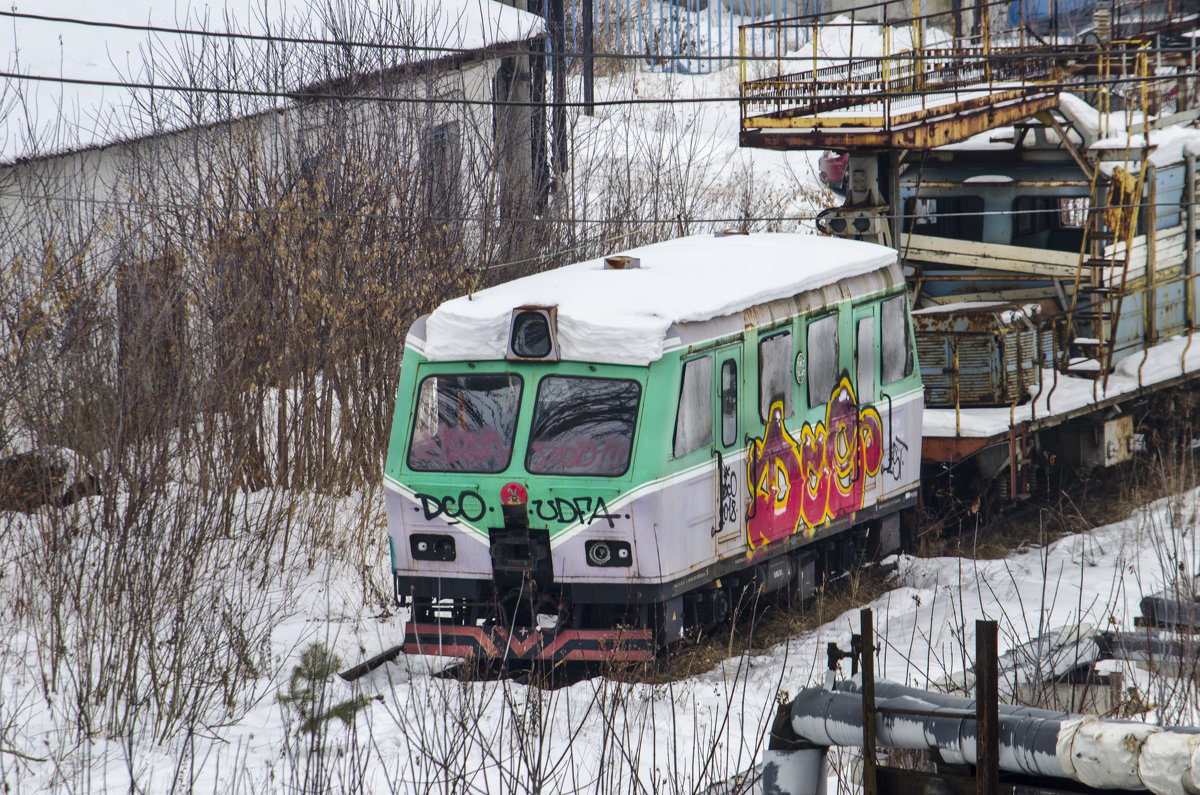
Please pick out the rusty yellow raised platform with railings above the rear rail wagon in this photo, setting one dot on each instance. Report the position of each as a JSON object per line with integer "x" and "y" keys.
{"x": 913, "y": 95}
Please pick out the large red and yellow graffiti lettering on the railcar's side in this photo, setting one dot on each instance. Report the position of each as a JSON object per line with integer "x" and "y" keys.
{"x": 800, "y": 485}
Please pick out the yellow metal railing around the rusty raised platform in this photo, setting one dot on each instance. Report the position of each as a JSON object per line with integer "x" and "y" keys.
{"x": 895, "y": 74}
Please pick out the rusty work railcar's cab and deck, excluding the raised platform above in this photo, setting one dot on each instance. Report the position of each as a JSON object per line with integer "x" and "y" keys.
{"x": 1054, "y": 265}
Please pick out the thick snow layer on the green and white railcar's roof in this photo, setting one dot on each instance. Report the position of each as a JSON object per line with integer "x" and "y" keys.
{"x": 625, "y": 316}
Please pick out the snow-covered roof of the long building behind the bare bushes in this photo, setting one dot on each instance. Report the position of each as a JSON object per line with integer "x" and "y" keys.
{"x": 41, "y": 118}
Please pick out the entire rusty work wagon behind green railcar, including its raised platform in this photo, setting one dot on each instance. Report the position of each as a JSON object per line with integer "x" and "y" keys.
{"x": 1042, "y": 196}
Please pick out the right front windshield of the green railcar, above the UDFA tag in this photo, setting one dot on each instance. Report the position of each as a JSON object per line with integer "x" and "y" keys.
{"x": 583, "y": 426}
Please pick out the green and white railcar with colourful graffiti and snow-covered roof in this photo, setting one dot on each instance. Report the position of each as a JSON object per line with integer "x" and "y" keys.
{"x": 595, "y": 462}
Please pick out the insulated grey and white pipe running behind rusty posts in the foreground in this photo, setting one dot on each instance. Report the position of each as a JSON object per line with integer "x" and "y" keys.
{"x": 1100, "y": 754}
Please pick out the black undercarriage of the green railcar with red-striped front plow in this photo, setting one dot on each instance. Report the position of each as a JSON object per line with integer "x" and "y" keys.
{"x": 523, "y": 614}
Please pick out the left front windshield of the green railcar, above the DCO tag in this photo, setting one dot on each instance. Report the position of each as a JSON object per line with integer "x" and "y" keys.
{"x": 465, "y": 423}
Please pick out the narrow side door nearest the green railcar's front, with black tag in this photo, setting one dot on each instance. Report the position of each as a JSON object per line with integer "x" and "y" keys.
{"x": 728, "y": 450}
